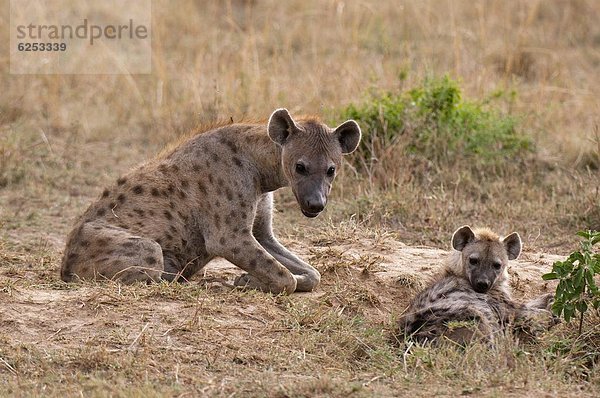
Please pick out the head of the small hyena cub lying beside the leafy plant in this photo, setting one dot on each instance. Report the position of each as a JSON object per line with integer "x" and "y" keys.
{"x": 485, "y": 255}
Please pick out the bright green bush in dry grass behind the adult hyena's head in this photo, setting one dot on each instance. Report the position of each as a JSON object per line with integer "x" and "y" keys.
{"x": 434, "y": 122}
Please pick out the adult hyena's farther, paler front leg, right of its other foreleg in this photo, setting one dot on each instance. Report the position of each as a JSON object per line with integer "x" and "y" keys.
{"x": 306, "y": 275}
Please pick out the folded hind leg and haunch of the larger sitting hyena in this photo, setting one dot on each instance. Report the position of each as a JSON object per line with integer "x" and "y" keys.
{"x": 101, "y": 251}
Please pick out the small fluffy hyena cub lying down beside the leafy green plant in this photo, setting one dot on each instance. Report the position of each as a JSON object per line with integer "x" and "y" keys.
{"x": 471, "y": 298}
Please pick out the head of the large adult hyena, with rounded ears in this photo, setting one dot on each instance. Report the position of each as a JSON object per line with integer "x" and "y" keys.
{"x": 311, "y": 154}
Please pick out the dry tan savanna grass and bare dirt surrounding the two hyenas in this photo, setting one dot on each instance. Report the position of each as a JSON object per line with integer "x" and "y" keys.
{"x": 64, "y": 137}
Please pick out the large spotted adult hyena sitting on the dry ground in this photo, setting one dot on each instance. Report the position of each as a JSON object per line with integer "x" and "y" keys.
{"x": 212, "y": 196}
